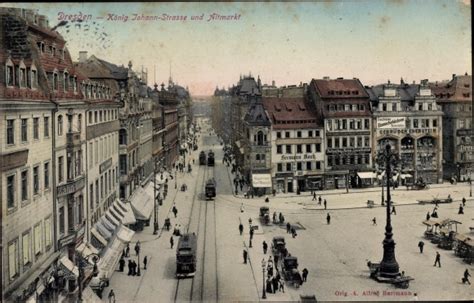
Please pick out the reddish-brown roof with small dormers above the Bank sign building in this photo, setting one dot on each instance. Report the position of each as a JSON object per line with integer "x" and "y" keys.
{"x": 290, "y": 113}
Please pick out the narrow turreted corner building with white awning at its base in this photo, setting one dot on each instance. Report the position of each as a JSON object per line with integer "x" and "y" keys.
{"x": 257, "y": 147}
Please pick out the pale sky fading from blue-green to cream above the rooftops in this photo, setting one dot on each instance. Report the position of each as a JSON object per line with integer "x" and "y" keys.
{"x": 288, "y": 42}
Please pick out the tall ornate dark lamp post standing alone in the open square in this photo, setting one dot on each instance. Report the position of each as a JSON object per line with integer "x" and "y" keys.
{"x": 388, "y": 266}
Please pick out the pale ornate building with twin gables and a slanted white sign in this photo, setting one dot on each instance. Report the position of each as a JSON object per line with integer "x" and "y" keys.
{"x": 407, "y": 117}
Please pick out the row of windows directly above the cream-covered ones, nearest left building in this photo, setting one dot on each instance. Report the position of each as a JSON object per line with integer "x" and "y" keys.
{"x": 23, "y": 183}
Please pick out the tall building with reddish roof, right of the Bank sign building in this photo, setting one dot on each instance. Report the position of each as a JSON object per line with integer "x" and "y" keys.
{"x": 344, "y": 105}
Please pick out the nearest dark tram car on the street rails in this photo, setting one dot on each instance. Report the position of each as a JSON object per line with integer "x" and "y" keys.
{"x": 186, "y": 256}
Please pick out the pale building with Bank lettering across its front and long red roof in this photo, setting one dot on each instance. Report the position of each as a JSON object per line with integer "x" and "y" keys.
{"x": 297, "y": 144}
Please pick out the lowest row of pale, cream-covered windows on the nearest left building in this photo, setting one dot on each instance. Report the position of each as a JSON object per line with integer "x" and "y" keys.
{"x": 27, "y": 249}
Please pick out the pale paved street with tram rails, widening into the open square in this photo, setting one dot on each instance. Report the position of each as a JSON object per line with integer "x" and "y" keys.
{"x": 335, "y": 254}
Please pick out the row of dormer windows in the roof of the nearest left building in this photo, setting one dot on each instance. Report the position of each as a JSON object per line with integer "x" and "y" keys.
{"x": 21, "y": 76}
